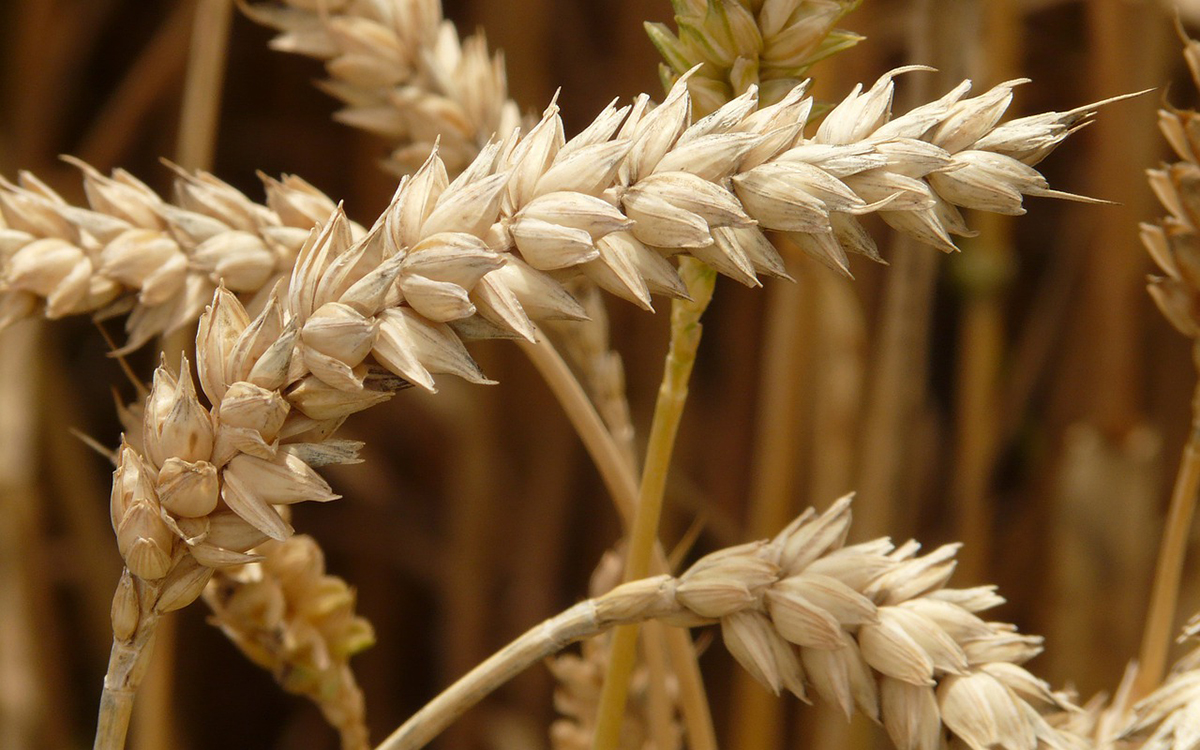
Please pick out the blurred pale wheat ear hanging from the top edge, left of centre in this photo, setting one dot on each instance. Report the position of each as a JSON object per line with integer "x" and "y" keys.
{"x": 403, "y": 73}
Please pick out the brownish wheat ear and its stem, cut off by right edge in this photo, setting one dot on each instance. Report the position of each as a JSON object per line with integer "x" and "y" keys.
{"x": 1175, "y": 247}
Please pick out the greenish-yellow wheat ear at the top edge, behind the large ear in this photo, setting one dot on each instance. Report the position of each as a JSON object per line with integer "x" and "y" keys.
{"x": 741, "y": 44}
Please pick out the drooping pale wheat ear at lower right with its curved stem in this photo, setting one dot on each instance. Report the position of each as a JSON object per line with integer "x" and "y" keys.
{"x": 869, "y": 627}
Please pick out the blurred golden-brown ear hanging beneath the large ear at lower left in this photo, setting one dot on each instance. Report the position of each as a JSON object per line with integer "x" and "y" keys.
{"x": 297, "y": 622}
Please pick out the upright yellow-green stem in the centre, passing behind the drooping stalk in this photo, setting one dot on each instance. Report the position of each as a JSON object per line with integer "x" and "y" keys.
{"x": 686, "y": 333}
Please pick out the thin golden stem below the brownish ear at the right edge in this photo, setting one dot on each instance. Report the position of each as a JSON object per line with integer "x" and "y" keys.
{"x": 1165, "y": 597}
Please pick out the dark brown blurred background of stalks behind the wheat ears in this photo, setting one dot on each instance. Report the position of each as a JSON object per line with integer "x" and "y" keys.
{"x": 1023, "y": 398}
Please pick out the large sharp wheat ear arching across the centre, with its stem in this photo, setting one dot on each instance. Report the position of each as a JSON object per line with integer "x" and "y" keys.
{"x": 202, "y": 493}
